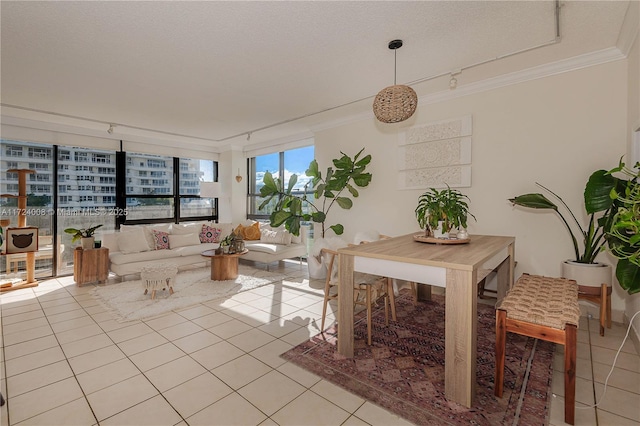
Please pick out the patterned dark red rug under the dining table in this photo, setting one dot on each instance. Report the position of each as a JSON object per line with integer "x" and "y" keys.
{"x": 403, "y": 371}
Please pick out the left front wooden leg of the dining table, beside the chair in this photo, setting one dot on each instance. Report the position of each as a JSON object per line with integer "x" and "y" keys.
{"x": 345, "y": 305}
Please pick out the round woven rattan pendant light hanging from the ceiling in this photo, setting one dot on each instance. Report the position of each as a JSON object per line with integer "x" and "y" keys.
{"x": 398, "y": 102}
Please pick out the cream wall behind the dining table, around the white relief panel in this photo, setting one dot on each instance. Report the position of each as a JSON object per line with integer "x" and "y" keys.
{"x": 556, "y": 130}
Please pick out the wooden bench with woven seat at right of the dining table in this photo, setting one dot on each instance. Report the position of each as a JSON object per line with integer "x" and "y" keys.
{"x": 547, "y": 309}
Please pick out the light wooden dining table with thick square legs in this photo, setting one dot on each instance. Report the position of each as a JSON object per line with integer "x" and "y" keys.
{"x": 457, "y": 268}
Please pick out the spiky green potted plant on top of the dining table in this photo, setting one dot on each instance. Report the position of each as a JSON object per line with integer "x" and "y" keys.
{"x": 438, "y": 212}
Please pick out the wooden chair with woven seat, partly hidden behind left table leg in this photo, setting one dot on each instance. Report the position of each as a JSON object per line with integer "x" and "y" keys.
{"x": 368, "y": 289}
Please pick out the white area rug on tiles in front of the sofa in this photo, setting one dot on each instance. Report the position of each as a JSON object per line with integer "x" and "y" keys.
{"x": 127, "y": 301}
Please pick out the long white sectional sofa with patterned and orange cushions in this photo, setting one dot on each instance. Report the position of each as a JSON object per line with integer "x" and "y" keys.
{"x": 133, "y": 247}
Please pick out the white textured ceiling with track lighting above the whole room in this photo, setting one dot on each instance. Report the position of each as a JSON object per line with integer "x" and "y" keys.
{"x": 210, "y": 73}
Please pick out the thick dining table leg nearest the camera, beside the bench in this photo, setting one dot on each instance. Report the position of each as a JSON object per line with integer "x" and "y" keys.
{"x": 460, "y": 336}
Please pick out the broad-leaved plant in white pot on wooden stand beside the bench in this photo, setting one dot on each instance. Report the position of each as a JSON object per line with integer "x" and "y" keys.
{"x": 583, "y": 267}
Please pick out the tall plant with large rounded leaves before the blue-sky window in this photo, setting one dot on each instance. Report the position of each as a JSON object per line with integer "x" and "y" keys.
{"x": 333, "y": 188}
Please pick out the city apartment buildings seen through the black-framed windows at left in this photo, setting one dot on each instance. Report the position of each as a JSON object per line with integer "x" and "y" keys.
{"x": 86, "y": 191}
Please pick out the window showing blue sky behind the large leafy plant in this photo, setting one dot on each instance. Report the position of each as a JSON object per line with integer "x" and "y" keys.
{"x": 281, "y": 165}
